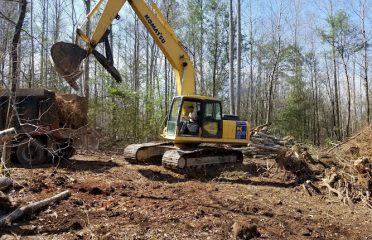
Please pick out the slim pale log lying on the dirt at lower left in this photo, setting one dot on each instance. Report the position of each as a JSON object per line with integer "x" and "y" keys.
{"x": 32, "y": 207}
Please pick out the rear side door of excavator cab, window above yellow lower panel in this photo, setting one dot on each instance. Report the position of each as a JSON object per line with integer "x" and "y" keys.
{"x": 212, "y": 119}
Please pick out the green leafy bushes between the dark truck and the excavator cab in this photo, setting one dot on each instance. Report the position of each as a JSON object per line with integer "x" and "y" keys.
{"x": 120, "y": 119}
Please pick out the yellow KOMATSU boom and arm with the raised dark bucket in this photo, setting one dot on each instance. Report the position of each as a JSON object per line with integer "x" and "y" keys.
{"x": 156, "y": 25}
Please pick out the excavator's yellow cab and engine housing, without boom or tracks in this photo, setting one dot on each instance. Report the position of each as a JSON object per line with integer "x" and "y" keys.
{"x": 211, "y": 125}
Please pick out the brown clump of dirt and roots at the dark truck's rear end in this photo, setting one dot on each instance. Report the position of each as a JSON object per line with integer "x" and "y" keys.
{"x": 72, "y": 110}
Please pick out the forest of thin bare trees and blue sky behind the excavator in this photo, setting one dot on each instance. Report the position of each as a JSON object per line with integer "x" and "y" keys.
{"x": 302, "y": 65}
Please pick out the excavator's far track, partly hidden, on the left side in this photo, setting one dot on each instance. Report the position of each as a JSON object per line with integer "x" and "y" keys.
{"x": 146, "y": 152}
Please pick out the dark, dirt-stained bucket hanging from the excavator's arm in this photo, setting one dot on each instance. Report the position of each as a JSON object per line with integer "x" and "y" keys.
{"x": 66, "y": 58}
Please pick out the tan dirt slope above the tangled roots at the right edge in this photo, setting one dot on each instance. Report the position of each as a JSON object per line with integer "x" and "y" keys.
{"x": 360, "y": 145}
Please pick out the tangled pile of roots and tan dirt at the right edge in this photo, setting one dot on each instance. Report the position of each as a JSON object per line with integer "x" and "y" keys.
{"x": 349, "y": 176}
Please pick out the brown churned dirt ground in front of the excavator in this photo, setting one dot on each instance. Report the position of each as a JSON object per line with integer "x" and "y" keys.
{"x": 112, "y": 199}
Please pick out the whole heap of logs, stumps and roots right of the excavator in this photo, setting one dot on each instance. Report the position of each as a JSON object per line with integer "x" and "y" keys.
{"x": 344, "y": 172}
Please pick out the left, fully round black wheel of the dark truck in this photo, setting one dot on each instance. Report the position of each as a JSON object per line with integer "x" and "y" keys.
{"x": 31, "y": 152}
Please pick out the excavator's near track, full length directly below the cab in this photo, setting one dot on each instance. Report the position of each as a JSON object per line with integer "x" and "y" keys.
{"x": 200, "y": 157}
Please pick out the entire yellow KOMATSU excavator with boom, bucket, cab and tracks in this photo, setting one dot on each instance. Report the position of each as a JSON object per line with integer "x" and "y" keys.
{"x": 196, "y": 133}
